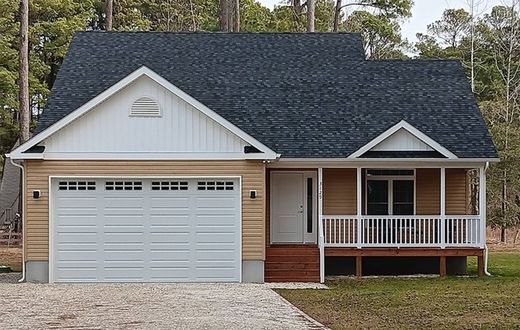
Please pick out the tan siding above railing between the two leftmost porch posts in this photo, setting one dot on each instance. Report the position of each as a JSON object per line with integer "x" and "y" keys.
{"x": 339, "y": 191}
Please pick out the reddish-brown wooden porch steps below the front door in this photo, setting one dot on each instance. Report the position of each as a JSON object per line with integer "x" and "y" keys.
{"x": 292, "y": 263}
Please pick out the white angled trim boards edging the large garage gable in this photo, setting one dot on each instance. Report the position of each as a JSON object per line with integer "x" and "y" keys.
{"x": 142, "y": 71}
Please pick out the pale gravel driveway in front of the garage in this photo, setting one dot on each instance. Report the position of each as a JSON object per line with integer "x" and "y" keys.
{"x": 140, "y": 306}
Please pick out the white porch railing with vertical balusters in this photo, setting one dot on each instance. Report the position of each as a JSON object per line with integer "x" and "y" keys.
{"x": 401, "y": 231}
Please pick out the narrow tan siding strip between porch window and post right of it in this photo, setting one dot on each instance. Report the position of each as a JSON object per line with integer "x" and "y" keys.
{"x": 427, "y": 185}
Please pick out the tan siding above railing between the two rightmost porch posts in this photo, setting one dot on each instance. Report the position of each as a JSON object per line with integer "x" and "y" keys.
{"x": 456, "y": 191}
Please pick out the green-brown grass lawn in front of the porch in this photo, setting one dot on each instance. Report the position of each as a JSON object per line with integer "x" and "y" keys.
{"x": 417, "y": 303}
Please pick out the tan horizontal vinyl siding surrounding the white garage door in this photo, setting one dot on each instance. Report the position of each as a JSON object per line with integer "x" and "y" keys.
{"x": 37, "y": 178}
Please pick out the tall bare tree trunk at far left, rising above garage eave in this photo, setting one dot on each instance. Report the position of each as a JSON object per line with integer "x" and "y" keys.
{"x": 23, "y": 79}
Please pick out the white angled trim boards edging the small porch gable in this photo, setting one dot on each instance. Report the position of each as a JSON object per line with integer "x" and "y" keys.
{"x": 412, "y": 130}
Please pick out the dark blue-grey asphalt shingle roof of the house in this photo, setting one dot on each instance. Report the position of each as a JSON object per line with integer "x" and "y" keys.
{"x": 303, "y": 95}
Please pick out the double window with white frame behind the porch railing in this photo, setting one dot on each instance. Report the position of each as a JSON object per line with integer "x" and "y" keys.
{"x": 390, "y": 192}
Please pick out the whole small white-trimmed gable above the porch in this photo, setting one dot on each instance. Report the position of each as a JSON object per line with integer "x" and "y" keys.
{"x": 402, "y": 140}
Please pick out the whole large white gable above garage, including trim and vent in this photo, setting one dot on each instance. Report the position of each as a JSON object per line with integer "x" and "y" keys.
{"x": 144, "y": 117}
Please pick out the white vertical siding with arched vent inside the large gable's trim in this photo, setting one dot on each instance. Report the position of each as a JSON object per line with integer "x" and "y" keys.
{"x": 129, "y": 123}
